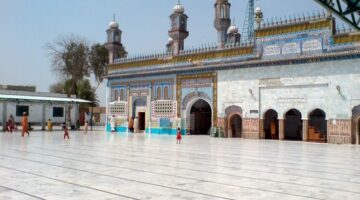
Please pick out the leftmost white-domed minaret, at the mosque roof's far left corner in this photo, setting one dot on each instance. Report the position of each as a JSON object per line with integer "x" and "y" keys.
{"x": 114, "y": 45}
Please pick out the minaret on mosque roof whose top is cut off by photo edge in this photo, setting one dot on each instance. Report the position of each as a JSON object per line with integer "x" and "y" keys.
{"x": 222, "y": 20}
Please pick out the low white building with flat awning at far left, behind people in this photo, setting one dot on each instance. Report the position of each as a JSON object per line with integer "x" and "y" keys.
{"x": 40, "y": 106}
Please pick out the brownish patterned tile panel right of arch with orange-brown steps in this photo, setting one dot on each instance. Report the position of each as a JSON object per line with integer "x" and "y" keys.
{"x": 339, "y": 131}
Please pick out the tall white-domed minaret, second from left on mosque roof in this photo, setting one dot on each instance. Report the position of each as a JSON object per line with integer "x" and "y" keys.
{"x": 178, "y": 31}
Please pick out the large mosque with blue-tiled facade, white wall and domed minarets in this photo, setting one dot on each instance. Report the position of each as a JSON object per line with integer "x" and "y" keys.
{"x": 296, "y": 79}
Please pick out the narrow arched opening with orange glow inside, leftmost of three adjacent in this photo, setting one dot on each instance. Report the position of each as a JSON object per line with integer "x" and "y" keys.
{"x": 271, "y": 125}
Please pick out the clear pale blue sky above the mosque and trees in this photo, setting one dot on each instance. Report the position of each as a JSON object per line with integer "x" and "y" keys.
{"x": 26, "y": 25}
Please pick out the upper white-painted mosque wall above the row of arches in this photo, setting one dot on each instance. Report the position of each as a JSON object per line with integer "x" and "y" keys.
{"x": 304, "y": 87}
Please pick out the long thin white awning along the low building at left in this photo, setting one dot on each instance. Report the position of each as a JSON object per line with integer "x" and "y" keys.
{"x": 26, "y": 98}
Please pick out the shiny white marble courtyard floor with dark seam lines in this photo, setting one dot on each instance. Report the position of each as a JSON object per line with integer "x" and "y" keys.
{"x": 119, "y": 166}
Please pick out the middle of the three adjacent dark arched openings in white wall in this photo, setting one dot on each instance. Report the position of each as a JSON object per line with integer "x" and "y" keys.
{"x": 293, "y": 127}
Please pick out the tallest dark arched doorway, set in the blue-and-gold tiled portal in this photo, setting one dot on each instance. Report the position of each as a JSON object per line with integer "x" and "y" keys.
{"x": 200, "y": 118}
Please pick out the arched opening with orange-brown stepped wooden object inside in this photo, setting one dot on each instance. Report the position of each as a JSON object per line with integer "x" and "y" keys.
{"x": 317, "y": 131}
